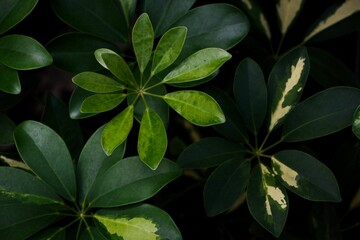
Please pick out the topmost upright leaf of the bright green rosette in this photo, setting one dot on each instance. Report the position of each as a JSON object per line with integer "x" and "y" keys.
{"x": 143, "y": 40}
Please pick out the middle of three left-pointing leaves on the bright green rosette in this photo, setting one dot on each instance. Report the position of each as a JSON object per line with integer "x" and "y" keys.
{"x": 97, "y": 83}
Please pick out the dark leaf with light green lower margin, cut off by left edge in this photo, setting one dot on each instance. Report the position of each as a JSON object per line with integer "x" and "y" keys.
{"x": 26, "y": 188}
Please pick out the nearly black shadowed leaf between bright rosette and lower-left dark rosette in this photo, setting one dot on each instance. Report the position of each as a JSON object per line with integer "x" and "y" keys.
{"x": 56, "y": 116}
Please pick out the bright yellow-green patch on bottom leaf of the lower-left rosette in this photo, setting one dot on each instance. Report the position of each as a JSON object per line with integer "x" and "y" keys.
{"x": 130, "y": 229}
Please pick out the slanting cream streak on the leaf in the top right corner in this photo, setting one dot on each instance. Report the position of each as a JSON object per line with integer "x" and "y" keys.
{"x": 345, "y": 10}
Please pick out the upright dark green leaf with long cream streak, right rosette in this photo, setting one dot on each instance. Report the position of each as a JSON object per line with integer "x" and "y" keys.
{"x": 286, "y": 83}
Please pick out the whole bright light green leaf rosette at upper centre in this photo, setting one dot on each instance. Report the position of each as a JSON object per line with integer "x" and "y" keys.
{"x": 144, "y": 88}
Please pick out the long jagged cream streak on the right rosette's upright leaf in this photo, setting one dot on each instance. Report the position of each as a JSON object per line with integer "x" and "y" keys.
{"x": 292, "y": 82}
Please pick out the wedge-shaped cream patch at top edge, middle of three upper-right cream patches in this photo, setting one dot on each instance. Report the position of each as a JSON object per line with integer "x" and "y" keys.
{"x": 287, "y": 11}
